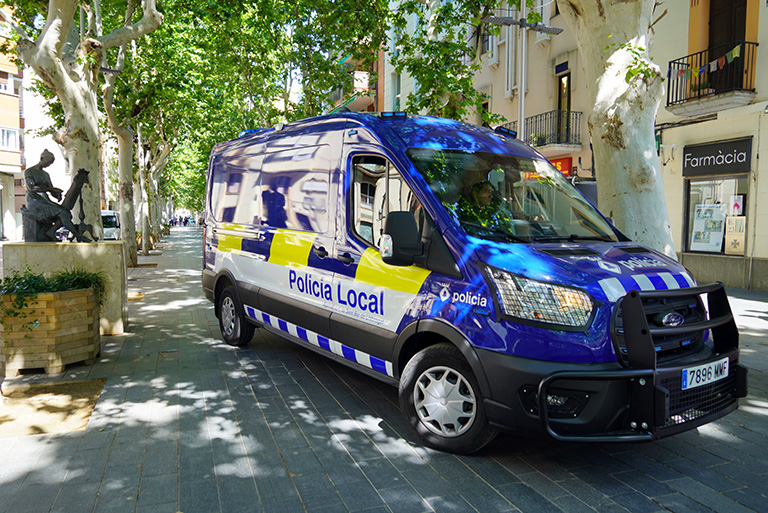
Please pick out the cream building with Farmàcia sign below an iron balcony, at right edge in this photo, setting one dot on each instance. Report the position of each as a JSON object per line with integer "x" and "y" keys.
{"x": 710, "y": 130}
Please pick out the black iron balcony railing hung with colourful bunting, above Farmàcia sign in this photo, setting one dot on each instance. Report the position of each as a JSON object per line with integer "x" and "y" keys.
{"x": 720, "y": 69}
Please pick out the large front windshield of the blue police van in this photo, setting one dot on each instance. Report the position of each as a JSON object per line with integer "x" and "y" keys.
{"x": 504, "y": 197}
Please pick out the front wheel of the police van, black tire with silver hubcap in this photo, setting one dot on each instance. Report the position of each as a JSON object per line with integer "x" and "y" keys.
{"x": 441, "y": 401}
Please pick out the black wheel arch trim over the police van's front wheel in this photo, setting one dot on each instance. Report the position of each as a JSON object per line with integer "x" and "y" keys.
{"x": 429, "y": 332}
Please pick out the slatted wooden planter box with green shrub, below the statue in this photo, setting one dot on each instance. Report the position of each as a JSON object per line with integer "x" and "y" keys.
{"x": 49, "y": 321}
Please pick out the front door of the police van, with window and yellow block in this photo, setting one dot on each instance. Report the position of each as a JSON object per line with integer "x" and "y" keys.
{"x": 375, "y": 300}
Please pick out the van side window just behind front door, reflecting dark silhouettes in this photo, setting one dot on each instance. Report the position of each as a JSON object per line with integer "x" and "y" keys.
{"x": 294, "y": 189}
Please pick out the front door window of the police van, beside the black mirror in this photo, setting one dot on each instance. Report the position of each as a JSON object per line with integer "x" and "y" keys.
{"x": 369, "y": 189}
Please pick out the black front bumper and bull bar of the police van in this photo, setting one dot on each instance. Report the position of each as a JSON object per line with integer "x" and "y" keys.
{"x": 638, "y": 401}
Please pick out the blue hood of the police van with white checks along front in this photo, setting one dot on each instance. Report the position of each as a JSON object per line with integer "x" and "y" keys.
{"x": 608, "y": 271}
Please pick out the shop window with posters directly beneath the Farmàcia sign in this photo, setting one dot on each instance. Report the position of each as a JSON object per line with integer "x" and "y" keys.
{"x": 716, "y": 217}
